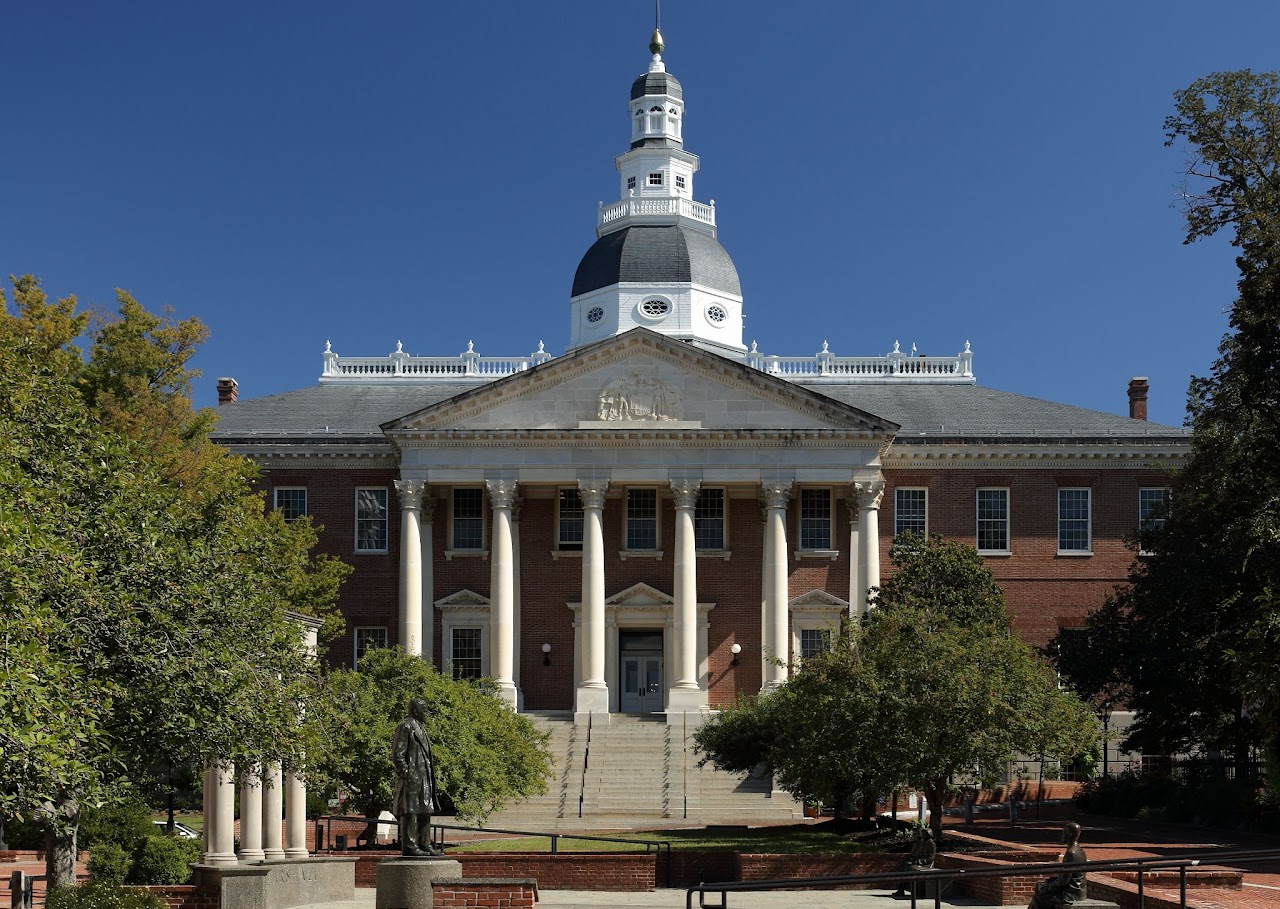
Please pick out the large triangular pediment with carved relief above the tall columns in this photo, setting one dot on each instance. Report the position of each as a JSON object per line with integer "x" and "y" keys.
{"x": 642, "y": 381}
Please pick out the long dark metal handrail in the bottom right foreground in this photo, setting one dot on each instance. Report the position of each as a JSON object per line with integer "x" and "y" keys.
{"x": 948, "y": 876}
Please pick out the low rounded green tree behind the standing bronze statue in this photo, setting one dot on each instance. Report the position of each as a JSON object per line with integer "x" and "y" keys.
{"x": 486, "y": 755}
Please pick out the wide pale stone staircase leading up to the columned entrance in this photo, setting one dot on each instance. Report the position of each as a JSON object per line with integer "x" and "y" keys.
{"x": 638, "y": 771}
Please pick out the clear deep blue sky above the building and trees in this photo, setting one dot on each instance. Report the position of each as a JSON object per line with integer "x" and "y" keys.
{"x": 367, "y": 173}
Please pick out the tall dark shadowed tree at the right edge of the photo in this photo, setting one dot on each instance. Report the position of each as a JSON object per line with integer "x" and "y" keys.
{"x": 1200, "y": 615}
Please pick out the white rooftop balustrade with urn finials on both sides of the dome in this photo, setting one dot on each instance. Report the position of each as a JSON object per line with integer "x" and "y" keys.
{"x": 825, "y": 366}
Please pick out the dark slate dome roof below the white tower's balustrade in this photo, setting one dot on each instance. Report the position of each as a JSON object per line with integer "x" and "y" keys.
{"x": 657, "y": 254}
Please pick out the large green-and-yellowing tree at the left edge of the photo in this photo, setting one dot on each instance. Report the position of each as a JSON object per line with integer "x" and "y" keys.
{"x": 144, "y": 591}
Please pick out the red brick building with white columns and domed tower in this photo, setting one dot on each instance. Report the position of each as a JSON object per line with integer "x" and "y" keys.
{"x": 639, "y": 524}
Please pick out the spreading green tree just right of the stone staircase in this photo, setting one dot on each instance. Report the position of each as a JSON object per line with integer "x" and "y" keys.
{"x": 930, "y": 688}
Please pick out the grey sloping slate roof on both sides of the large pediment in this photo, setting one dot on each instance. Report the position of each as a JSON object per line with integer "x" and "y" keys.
{"x": 929, "y": 414}
